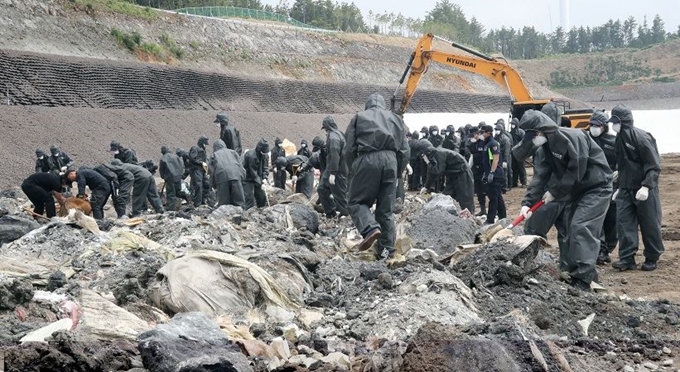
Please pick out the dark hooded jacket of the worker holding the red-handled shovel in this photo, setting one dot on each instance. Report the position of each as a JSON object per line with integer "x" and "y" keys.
{"x": 573, "y": 162}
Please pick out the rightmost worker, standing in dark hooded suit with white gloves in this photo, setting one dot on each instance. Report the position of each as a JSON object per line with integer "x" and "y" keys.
{"x": 637, "y": 199}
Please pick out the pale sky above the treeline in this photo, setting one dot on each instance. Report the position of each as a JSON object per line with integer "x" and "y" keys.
{"x": 542, "y": 14}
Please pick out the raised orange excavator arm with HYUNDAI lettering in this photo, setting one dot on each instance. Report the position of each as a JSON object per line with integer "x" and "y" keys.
{"x": 498, "y": 71}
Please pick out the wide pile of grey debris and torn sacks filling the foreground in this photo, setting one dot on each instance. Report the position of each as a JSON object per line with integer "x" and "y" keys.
{"x": 281, "y": 288}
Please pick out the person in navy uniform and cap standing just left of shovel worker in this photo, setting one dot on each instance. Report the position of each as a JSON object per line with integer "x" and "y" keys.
{"x": 493, "y": 177}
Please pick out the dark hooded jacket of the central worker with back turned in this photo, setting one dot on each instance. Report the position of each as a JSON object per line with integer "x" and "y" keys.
{"x": 376, "y": 129}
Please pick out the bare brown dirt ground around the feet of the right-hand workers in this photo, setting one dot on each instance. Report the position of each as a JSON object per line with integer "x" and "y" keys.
{"x": 659, "y": 284}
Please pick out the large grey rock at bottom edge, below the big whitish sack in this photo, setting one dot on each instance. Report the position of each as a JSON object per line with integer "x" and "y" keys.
{"x": 190, "y": 342}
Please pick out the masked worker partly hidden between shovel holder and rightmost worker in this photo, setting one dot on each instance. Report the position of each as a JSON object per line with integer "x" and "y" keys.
{"x": 599, "y": 131}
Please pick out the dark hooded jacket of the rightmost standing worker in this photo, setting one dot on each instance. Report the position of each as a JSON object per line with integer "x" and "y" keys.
{"x": 637, "y": 158}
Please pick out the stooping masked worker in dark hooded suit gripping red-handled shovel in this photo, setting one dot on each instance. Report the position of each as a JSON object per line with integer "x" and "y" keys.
{"x": 574, "y": 170}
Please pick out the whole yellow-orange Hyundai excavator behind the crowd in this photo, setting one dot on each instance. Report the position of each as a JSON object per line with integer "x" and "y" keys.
{"x": 496, "y": 69}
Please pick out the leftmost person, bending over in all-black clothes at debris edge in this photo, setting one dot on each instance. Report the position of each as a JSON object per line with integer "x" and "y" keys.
{"x": 40, "y": 189}
